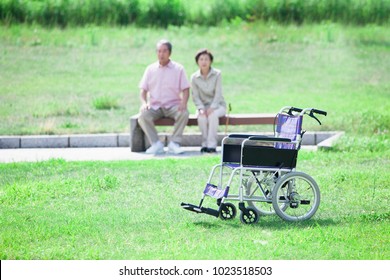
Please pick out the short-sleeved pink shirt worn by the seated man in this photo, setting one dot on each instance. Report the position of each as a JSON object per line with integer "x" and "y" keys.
{"x": 164, "y": 84}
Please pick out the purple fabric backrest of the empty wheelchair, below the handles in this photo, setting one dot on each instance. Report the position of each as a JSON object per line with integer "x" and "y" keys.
{"x": 288, "y": 126}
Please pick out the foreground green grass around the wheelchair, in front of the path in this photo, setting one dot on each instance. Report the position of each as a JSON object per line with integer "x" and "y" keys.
{"x": 131, "y": 210}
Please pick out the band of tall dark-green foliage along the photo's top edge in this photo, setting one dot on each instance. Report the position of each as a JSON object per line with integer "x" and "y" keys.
{"x": 163, "y": 13}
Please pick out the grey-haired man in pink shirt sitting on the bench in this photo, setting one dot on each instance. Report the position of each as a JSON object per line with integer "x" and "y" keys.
{"x": 164, "y": 93}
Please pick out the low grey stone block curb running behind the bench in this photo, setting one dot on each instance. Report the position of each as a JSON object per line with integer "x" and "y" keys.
{"x": 322, "y": 139}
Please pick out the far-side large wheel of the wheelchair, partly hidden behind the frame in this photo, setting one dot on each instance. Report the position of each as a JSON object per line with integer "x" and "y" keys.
{"x": 263, "y": 208}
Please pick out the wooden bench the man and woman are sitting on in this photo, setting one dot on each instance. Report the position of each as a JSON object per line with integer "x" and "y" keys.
{"x": 139, "y": 143}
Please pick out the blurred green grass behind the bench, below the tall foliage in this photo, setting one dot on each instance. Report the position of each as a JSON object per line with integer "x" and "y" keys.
{"x": 51, "y": 77}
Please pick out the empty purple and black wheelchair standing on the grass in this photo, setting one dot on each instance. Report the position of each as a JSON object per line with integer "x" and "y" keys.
{"x": 264, "y": 168}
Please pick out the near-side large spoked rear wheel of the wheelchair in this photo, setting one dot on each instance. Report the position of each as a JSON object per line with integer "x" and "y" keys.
{"x": 300, "y": 193}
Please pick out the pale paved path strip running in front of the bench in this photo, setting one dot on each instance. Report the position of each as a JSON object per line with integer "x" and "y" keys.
{"x": 93, "y": 154}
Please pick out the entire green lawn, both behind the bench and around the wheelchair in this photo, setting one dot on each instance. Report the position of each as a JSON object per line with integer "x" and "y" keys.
{"x": 84, "y": 80}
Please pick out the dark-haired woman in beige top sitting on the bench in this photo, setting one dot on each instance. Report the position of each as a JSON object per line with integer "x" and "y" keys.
{"x": 207, "y": 96}
